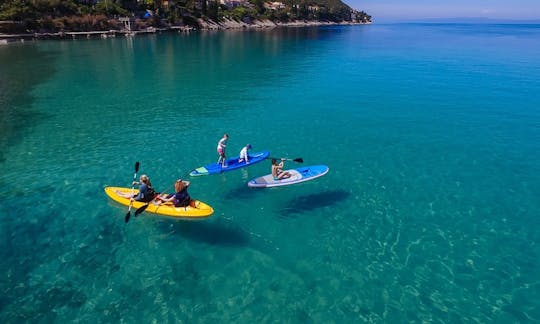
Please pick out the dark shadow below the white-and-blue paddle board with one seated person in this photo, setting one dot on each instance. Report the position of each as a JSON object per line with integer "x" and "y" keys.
{"x": 301, "y": 204}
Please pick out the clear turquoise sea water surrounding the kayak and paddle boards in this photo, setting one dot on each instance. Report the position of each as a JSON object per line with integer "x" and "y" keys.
{"x": 430, "y": 211}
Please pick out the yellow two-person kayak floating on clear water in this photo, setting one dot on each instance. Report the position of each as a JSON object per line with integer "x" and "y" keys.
{"x": 198, "y": 209}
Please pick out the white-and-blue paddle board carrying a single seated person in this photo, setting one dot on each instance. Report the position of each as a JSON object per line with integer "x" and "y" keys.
{"x": 297, "y": 175}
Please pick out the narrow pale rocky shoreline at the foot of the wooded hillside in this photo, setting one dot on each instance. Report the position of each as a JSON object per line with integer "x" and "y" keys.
{"x": 227, "y": 24}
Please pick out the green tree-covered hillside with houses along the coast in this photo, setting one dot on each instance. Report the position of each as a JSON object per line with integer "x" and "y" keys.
{"x": 41, "y": 16}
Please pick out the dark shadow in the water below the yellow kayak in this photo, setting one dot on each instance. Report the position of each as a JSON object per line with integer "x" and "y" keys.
{"x": 209, "y": 233}
